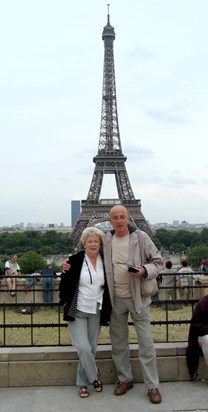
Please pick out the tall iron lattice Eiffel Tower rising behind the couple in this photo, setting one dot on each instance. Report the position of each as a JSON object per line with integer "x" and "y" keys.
{"x": 110, "y": 159}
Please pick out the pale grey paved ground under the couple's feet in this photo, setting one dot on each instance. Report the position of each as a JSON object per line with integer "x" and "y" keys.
{"x": 177, "y": 397}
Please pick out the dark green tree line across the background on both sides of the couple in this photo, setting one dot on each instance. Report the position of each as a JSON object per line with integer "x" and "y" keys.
{"x": 193, "y": 244}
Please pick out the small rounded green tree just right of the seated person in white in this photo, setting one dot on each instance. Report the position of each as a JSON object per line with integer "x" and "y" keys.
{"x": 31, "y": 261}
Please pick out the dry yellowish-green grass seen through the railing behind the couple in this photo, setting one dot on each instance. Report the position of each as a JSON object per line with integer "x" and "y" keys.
{"x": 18, "y": 331}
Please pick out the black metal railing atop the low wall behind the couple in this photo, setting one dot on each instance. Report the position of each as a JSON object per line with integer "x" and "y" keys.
{"x": 25, "y": 320}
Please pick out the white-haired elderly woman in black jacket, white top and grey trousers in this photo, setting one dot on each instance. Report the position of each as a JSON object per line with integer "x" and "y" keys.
{"x": 84, "y": 295}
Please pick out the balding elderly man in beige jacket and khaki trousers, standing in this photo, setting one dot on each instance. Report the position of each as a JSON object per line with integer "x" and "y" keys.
{"x": 128, "y": 244}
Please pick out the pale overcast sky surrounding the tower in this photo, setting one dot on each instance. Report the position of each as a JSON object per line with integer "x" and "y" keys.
{"x": 51, "y": 69}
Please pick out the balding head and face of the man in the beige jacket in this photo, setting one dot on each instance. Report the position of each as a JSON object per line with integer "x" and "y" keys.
{"x": 119, "y": 220}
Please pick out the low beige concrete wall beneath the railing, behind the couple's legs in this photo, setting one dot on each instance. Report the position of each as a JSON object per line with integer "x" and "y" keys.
{"x": 50, "y": 366}
